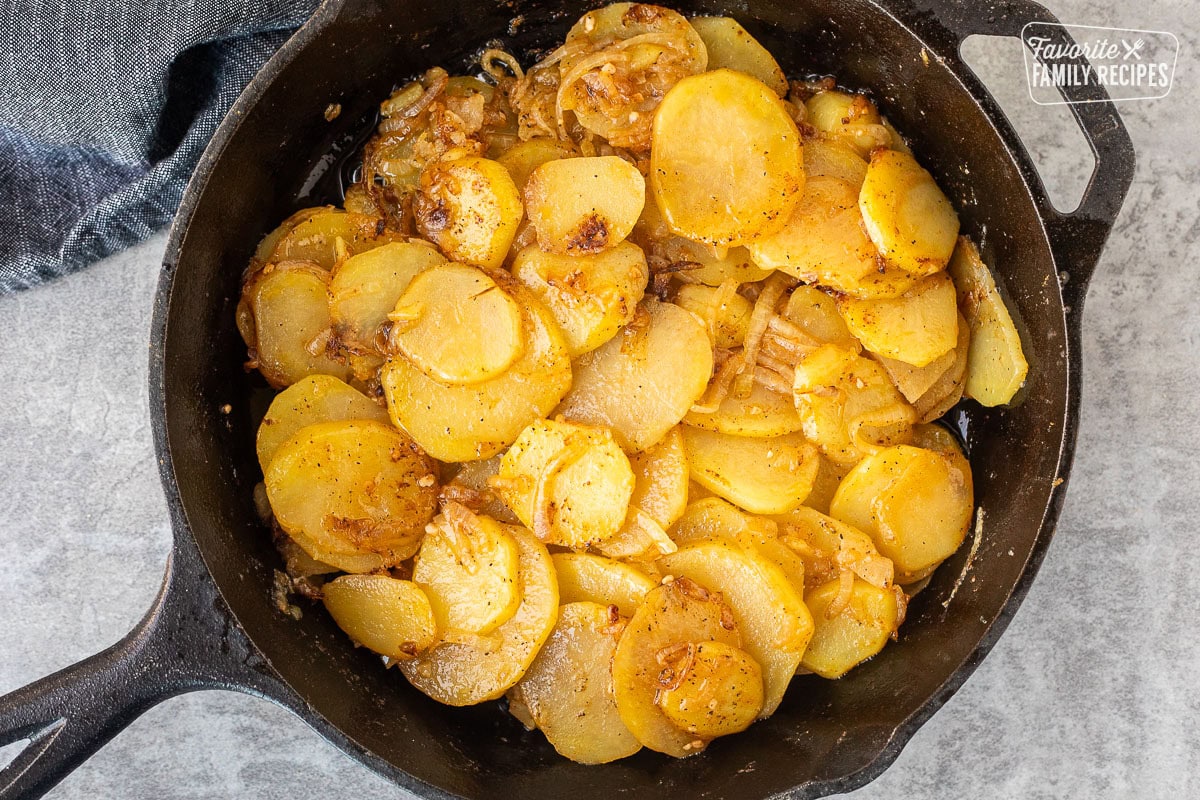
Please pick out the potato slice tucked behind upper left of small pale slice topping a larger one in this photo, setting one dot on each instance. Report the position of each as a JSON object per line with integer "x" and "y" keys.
{"x": 365, "y": 288}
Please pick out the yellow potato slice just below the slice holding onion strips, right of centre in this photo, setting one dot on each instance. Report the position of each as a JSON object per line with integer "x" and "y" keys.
{"x": 763, "y": 476}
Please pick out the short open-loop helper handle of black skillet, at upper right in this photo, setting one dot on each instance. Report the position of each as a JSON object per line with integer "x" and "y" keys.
{"x": 1078, "y": 237}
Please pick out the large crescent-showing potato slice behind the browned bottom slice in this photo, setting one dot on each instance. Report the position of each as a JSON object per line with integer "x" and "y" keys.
{"x": 770, "y": 611}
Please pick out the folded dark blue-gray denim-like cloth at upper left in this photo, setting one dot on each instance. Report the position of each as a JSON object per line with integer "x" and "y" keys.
{"x": 106, "y": 106}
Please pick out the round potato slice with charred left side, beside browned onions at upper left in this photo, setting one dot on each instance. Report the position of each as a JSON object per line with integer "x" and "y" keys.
{"x": 471, "y": 209}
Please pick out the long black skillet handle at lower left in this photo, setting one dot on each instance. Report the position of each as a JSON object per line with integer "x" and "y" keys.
{"x": 187, "y": 642}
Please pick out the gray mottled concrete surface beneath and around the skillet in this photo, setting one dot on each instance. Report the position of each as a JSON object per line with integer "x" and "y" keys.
{"x": 1089, "y": 695}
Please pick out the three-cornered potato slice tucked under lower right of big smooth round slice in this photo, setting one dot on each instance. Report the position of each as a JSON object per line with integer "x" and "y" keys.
{"x": 824, "y": 239}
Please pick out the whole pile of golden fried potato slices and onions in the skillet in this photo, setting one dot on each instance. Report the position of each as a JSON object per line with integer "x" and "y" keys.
{"x": 609, "y": 392}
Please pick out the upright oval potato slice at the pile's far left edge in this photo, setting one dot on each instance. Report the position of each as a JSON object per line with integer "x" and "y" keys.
{"x": 290, "y": 308}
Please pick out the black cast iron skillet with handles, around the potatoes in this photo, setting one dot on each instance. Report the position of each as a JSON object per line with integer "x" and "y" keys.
{"x": 214, "y": 625}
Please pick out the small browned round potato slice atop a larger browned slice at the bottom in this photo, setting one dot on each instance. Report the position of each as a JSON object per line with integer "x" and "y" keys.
{"x": 716, "y": 690}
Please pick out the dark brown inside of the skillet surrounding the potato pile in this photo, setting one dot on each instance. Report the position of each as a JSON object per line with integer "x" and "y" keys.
{"x": 285, "y": 155}
